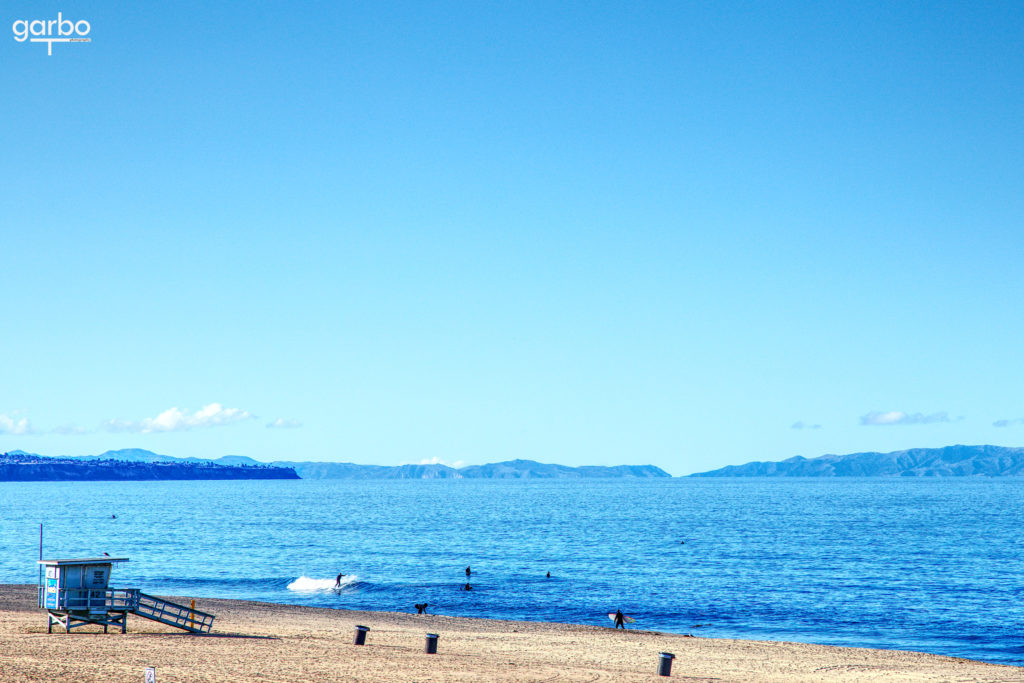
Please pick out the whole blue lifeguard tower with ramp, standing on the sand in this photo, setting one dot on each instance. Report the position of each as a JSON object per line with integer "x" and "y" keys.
{"x": 76, "y": 592}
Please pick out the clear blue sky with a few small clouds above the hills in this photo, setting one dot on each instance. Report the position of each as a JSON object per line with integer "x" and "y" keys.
{"x": 682, "y": 234}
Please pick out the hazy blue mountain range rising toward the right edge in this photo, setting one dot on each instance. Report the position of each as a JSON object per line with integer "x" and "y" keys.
{"x": 959, "y": 461}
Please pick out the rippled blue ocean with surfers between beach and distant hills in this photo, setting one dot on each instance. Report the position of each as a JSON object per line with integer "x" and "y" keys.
{"x": 935, "y": 566}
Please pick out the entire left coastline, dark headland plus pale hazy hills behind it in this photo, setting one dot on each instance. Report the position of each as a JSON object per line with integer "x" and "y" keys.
{"x": 132, "y": 464}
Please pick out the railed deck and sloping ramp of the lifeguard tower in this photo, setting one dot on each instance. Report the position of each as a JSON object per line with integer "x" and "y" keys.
{"x": 99, "y": 606}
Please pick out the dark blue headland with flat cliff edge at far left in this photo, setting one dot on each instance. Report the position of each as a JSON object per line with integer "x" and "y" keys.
{"x": 21, "y": 466}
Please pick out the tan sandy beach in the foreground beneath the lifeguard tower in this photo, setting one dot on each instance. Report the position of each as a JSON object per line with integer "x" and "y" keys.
{"x": 254, "y": 642}
